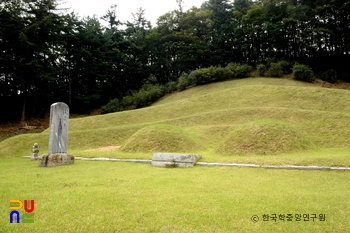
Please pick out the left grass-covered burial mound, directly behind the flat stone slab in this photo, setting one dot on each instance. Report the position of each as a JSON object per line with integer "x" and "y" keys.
{"x": 162, "y": 138}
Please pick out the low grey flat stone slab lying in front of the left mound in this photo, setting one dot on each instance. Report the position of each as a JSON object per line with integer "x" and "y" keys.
{"x": 160, "y": 159}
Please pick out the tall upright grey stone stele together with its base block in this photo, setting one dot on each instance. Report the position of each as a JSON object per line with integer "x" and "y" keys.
{"x": 59, "y": 116}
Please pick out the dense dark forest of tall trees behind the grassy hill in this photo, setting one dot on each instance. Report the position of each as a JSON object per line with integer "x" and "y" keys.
{"x": 49, "y": 54}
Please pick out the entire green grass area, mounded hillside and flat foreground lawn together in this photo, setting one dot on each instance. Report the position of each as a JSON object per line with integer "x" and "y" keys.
{"x": 256, "y": 120}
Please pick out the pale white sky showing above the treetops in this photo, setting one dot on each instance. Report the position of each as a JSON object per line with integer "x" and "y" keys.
{"x": 154, "y": 8}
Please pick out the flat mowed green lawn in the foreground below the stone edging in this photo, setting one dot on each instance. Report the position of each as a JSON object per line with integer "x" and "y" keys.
{"x": 127, "y": 197}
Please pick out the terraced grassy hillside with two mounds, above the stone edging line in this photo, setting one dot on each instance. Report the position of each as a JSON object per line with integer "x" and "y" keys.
{"x": 259, "y": 120}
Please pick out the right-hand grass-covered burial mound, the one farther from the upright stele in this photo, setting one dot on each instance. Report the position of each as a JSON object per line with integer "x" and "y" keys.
{"x": 264, "y": 138}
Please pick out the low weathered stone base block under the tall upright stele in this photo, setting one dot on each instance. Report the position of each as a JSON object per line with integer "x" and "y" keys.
{"x": 52, "y": 160}
